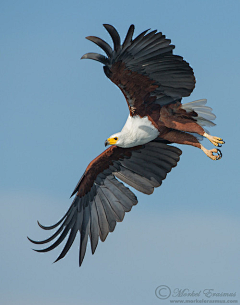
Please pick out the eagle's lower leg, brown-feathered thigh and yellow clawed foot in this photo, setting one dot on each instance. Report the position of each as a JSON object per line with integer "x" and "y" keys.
{"x": 176, "y": 136}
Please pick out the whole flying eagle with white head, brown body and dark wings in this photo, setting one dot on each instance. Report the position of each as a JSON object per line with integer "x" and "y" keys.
{"x": 153, "y": 81}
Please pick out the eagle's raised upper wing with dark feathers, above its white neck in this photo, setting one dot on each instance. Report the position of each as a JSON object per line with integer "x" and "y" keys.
{"x": 145, "y": 69}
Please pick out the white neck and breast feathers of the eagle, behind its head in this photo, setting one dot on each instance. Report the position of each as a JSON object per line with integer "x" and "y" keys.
{"x": 138, "y": 131}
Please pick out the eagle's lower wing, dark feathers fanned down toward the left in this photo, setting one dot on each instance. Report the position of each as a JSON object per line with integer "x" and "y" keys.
{"x": 101, "y": 200}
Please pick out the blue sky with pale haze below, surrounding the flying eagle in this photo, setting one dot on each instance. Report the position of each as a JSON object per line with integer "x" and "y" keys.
{"x": 56, "y": 112}
